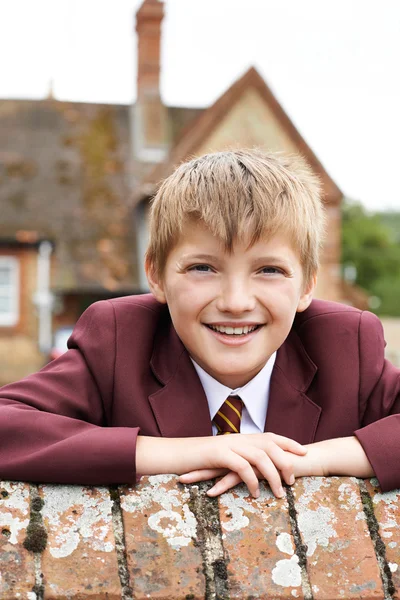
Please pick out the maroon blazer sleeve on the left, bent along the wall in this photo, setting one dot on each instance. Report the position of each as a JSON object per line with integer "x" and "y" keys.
{"x": 53, "y": 424}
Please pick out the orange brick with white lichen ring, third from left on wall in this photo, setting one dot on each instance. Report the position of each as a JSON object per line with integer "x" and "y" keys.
{"x": 160, "y": 531}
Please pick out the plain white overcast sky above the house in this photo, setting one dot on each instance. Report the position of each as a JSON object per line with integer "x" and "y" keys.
{"x": 333, "y": 64}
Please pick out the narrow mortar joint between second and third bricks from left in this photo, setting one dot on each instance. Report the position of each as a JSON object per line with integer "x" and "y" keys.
{"x": 120, "y": 547}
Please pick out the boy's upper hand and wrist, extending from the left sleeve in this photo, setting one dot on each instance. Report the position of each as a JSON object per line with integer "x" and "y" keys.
{"x": 269, "y": 454}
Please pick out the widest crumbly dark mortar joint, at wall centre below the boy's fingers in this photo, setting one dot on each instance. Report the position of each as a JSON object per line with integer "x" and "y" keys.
{"x": 209, "y": 539}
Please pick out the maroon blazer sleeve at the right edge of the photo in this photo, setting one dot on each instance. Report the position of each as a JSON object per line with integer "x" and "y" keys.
{"x": 379, "y": 401}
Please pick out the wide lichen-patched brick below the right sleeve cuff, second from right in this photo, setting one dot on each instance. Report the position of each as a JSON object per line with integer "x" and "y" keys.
{"x": 341, "y": 561}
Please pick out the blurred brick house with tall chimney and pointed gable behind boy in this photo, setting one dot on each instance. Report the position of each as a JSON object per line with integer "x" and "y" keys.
{"x": 75, "y": 184}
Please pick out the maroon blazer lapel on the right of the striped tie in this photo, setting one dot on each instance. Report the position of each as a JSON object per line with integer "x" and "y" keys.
{"x": 290, "y": 412}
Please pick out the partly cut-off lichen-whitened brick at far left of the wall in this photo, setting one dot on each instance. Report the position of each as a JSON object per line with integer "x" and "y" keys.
{"x": 17, "y": 571}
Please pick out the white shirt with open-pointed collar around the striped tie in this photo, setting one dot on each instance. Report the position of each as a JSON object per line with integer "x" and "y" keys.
{"x": 255, "y": 396}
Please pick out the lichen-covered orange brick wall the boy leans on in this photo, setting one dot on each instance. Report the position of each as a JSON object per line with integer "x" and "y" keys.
{"x": 329, "y": 538}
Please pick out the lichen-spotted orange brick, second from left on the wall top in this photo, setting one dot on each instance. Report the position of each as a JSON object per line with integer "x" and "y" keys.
{"x": 80, "y": 559}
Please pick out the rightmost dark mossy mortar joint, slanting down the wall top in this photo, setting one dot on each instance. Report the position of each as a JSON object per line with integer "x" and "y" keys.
{"x": 389, "y": 589}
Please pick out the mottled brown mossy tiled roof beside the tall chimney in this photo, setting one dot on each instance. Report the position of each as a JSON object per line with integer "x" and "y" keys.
{"x": 65, "y": 175}
